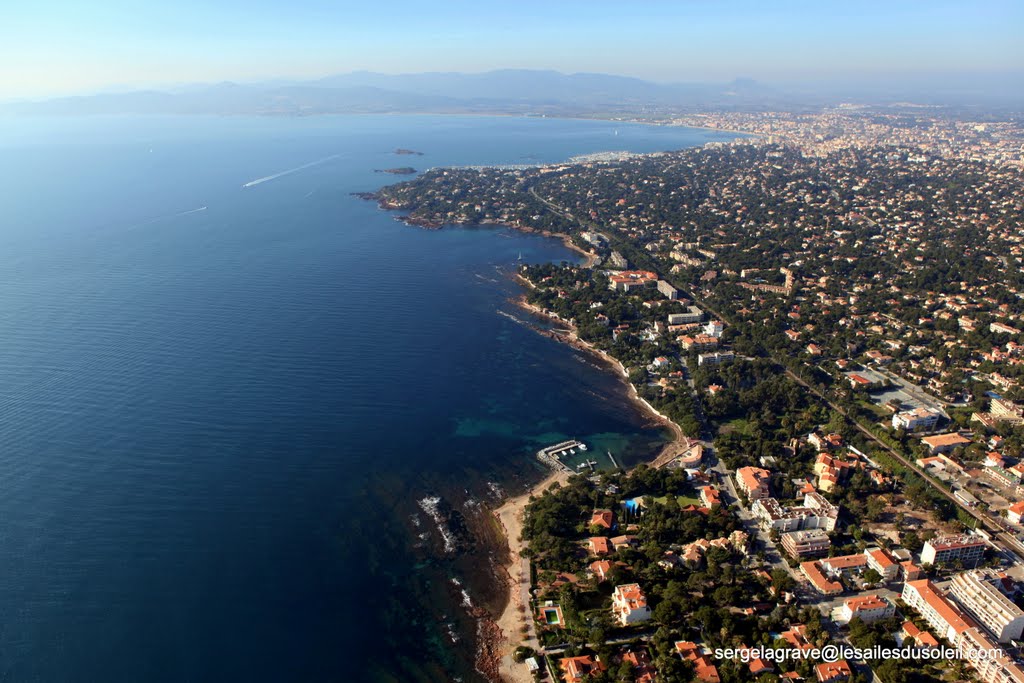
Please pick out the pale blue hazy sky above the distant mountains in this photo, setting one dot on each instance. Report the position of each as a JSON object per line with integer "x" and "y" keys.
{"x": 61, "y": 47}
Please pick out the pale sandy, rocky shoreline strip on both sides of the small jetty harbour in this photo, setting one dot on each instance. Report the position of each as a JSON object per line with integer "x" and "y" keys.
{"x": 516, "y": 625}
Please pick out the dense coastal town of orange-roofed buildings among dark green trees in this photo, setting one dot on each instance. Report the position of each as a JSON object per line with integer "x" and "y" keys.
{"x": 831, "y": 311}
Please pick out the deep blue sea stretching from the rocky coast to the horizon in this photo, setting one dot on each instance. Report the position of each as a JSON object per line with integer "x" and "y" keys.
{"x": 231, "y": 391}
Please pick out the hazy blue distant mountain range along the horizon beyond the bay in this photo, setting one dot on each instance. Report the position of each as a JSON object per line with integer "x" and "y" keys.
{"x": 523, "y": 92}
